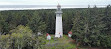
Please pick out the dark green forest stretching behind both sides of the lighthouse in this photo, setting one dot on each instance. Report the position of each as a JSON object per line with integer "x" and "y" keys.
{"x": 38, "y": 20}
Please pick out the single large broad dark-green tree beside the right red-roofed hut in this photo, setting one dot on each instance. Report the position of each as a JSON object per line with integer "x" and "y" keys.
{"x": 88, "y": 26}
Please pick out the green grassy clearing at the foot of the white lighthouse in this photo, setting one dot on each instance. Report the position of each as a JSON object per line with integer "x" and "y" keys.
{"x": 60, "y": 43}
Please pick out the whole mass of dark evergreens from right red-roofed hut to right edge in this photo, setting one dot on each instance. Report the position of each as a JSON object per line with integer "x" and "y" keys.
{"x": 89, "y": 27}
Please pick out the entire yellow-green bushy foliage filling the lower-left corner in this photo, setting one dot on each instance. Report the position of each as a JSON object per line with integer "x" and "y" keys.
{"x": 21, "y": 38}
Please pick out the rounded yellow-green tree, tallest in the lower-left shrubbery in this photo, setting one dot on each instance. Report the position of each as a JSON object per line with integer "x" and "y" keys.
{"x": 21, "y": 36}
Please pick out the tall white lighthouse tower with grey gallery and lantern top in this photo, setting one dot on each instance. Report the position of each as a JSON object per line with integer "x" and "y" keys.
{"x": 59, "y": 28}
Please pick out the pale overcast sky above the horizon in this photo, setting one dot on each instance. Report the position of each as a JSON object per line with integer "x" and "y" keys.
{"x": 55, "y": 2}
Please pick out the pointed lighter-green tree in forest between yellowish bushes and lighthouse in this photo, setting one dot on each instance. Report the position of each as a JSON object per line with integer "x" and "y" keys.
{"x": 36, "y": 24}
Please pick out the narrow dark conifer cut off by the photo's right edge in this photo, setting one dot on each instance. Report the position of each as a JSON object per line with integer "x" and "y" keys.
{"x": 107, "y": 19}
